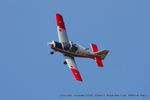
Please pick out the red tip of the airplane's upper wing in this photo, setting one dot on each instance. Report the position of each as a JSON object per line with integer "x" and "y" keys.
{"x": 59, "y": 21}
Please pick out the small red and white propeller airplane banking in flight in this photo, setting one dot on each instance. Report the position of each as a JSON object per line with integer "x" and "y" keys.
{"x": 71, "y": 50}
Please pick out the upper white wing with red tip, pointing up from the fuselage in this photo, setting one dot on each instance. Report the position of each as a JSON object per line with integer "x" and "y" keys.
{"x": 62, "y": 34}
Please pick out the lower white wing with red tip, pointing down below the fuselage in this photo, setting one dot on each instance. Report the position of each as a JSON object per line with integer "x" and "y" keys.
{"x": 73, "y": 67}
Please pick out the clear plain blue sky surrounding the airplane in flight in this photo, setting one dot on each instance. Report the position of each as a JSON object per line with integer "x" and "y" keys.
{"x": 29, "y": 72}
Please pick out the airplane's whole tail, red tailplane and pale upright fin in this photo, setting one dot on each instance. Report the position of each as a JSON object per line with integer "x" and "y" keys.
{"x": 100, "y": 55}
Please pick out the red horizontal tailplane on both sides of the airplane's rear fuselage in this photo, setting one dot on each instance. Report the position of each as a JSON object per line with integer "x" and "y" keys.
{"x": 98, "y": 59}
